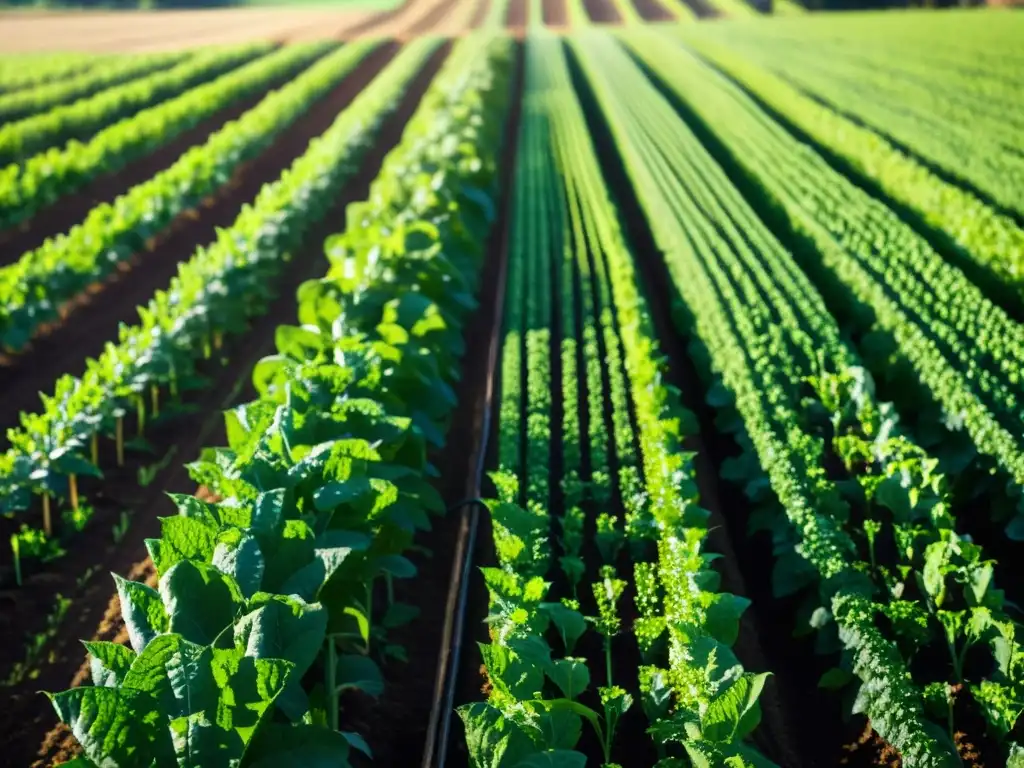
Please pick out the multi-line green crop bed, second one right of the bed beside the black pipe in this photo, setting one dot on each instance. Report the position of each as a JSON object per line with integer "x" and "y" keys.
{"x": 926, "y": 328}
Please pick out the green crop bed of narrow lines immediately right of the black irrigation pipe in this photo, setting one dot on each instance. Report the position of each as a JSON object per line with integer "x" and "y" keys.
{"x": 633, "y": 495}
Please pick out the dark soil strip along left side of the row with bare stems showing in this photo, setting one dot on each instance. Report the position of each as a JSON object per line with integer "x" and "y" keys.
{"x": 96, "y": 317}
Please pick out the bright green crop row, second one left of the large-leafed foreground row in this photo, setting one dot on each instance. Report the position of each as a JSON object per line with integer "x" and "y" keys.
{"x": 34, "y": 289}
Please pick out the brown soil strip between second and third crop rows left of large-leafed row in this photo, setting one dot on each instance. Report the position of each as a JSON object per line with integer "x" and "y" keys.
{"x": 72, "y": 209}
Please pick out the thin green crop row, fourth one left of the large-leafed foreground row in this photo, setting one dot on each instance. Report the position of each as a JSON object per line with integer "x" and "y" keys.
{"x": 81, "y": 120}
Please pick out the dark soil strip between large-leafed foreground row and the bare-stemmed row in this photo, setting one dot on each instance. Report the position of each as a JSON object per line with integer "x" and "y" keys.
{"x": 27, "y": 727}
